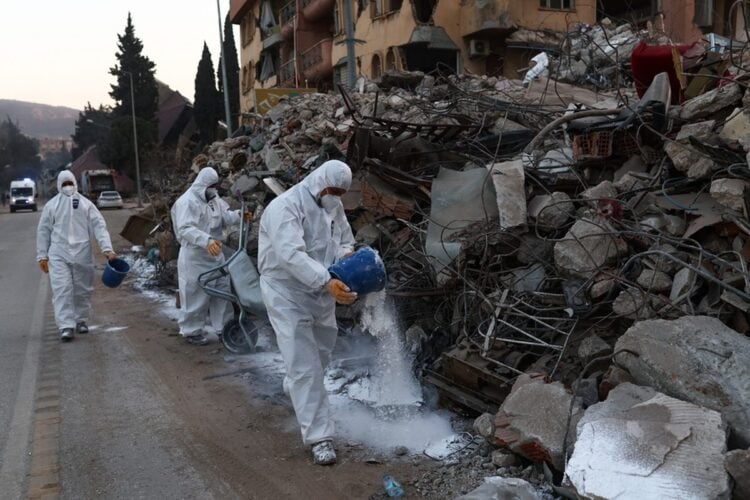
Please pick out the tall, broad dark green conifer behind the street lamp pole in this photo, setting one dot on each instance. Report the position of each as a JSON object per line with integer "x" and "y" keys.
{"x": 117, "y": 150}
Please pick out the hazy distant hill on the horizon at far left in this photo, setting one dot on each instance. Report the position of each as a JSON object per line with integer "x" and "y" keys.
{"x": 40, "y": 120}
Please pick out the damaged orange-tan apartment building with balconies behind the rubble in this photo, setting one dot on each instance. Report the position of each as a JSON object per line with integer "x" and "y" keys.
{"x": 304, "y": 43}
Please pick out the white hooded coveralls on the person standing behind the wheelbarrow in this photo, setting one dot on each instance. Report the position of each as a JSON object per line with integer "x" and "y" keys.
{"x": 197, "y": 221}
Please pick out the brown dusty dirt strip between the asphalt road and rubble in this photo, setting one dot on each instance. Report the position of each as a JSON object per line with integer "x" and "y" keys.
{"x": 234, "y": 428}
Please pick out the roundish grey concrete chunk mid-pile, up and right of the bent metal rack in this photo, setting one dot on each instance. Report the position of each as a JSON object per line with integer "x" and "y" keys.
{"x": 588, "y": 246}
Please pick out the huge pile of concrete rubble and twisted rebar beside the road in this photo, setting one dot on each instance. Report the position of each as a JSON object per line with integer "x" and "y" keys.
{"x": 547, "y": 256}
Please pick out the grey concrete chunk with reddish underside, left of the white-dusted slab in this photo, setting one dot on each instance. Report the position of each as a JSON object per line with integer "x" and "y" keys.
{"x": 532, "y": 420}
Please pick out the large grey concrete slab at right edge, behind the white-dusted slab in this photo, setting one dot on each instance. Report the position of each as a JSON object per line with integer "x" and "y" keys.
{"x": 695, "y": 358}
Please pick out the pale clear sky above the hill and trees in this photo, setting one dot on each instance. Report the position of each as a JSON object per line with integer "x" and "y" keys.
{"x": 59, "y": 52}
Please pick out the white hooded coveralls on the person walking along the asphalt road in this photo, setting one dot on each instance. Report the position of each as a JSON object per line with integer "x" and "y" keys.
{"x": 64, "y": 238}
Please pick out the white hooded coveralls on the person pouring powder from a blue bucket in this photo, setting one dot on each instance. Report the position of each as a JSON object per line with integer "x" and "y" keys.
{"x": 298, "y": 242}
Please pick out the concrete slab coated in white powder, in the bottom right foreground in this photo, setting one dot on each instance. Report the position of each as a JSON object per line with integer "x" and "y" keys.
{"x": 640, "y": 443}
